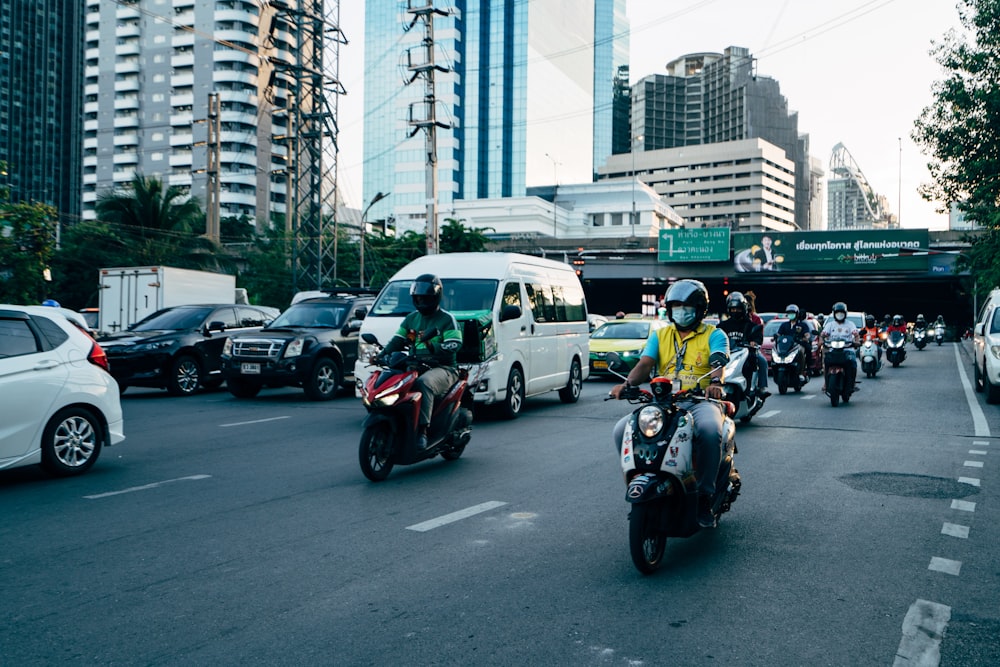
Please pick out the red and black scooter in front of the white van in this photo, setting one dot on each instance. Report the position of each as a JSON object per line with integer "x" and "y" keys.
{"x": 389, "y": 432}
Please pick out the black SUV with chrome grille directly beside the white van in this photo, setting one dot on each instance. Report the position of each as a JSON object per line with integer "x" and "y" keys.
{"x": 310, "y": 345}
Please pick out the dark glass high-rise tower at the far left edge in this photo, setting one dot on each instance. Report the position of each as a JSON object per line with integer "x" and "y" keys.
{"x": 40, "y": 97}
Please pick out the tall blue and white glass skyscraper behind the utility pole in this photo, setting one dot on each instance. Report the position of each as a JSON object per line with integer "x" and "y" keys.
{"x": 524, "y": 93}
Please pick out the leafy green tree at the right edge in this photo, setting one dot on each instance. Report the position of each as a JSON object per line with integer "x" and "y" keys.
{"x": 960, "y": 132}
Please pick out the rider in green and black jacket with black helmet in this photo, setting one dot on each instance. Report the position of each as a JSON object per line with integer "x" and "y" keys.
{"x": 440, "y": 351}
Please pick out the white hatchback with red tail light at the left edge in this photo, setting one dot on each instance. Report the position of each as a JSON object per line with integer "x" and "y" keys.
{"x": 59, "y": 405}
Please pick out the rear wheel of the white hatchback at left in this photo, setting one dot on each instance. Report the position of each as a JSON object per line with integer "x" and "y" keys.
{"x": 71, "y": 442}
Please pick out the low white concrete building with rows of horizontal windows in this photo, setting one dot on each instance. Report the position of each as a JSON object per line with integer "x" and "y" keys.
{"x": 747, "y": 185}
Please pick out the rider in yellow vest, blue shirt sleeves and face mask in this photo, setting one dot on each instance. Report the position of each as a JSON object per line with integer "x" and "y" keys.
{"x": 694, "y": 355}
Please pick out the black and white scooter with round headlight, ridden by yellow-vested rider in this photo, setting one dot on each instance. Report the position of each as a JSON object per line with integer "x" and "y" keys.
{"x": 657, "y": 459}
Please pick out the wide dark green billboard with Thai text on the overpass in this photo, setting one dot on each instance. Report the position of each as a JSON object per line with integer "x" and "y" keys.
{"x": 825, "y": 252}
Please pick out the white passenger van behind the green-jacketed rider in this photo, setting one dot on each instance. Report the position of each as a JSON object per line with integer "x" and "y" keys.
{"x": 523, "y": 318}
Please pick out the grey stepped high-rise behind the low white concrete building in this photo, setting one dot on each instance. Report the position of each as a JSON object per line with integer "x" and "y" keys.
{"x": 707, "y": 98}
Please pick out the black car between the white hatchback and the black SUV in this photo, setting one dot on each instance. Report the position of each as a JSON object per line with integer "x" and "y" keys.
{"x": 180, "y": 348}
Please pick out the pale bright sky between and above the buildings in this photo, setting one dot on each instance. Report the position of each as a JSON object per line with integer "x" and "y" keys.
{"x": 858, "y": 72}
